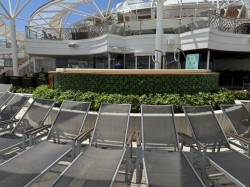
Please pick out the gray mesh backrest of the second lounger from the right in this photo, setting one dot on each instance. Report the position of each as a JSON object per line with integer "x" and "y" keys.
{"x": 205, "y": 126}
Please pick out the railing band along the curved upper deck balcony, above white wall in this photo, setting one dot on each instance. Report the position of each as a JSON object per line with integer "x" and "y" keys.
{"x": 206, "y": 19}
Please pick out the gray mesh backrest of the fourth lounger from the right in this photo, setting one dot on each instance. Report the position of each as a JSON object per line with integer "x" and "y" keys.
{"x": 111, "y": 125}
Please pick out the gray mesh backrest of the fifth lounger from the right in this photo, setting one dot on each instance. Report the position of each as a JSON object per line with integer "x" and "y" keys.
{"x": 69, "y": 121}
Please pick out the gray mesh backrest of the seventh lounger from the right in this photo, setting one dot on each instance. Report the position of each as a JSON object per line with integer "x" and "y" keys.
{"x": 13, "y": 107}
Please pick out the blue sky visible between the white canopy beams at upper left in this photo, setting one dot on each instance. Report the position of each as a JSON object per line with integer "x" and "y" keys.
{"x": 35, "y": 4}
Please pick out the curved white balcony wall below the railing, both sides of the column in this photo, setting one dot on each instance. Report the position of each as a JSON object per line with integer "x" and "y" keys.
{"x": 142, "y": 44}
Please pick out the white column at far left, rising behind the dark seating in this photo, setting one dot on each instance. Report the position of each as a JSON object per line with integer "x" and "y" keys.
{"x": 14, "y": 47}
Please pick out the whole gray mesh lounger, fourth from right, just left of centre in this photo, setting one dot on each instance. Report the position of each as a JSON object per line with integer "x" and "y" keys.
{"x": 98, "y": 164}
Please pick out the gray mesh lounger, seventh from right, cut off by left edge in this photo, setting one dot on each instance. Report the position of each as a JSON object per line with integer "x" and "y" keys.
{"x": 8, "y": 114}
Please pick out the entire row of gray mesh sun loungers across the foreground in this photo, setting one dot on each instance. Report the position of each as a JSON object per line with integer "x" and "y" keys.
{"x": 164, "y": 163}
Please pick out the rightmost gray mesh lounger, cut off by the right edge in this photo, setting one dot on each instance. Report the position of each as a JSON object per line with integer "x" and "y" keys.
{"x": 238, "y": 117}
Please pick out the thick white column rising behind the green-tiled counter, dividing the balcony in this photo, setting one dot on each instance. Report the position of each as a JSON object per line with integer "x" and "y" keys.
{"x": 159, "y": 32}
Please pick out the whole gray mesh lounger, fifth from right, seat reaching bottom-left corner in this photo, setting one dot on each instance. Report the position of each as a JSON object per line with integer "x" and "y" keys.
{"x": 27, "y": 167}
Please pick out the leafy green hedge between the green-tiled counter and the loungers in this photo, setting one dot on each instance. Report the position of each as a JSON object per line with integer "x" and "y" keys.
{"x": 222, "y": 96}
